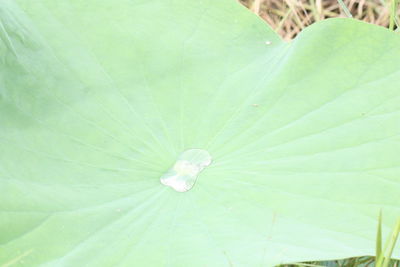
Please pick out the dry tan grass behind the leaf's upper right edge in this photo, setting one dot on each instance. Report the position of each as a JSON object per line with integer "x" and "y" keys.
{"x": 289, "y": 17}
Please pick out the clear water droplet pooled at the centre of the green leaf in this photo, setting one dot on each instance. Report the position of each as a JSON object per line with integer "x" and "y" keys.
{"x": 183, "y": 175}
